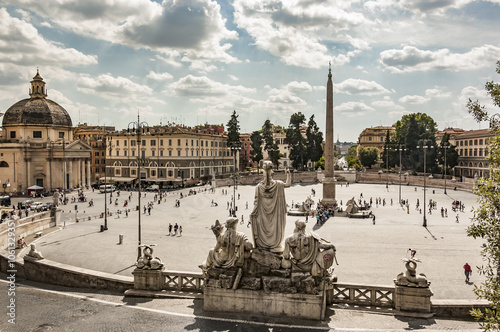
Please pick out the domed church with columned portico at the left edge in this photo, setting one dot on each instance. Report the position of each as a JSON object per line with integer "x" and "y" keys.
{"x": 37, "y": 149}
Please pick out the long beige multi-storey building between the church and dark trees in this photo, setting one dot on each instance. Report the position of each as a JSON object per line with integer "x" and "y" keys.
{"x": 169, "y": 154}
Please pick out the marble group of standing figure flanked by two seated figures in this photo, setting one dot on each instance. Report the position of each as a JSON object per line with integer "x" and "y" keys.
{"x": 305, "y": 255}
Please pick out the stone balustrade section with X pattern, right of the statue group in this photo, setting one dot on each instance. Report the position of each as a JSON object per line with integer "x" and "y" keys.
{"x": 367, "y": 295}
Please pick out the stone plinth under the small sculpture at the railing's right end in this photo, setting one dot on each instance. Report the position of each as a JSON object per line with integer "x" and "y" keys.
{"x": 415, "y": 299}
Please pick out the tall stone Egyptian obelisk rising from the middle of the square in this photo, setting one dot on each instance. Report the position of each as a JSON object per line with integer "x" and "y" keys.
{"x": 329, "y": 181}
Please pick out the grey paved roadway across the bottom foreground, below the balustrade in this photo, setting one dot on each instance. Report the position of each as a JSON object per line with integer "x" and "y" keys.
{"x": 54, "y": 308}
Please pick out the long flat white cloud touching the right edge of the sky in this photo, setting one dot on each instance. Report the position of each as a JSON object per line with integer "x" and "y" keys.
{"x": 411, "y": 59}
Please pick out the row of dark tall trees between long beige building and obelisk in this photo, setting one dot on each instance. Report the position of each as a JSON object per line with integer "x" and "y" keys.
{"x": 304, "y": 143}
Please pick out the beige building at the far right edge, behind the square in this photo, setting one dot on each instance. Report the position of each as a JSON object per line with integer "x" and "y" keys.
{"x": 473, "y": 147}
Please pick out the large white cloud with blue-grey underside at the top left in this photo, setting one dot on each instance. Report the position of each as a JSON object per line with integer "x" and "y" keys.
{"x": 196, "y": 27}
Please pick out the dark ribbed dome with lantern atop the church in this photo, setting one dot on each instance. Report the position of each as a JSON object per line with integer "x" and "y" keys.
{"x": 37, "y": 110}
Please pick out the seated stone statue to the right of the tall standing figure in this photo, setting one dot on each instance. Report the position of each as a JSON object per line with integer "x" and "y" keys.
{"x": 307, "y": 252}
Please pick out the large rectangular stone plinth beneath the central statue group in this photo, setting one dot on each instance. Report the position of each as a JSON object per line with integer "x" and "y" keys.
{"x": 266, "y": 304}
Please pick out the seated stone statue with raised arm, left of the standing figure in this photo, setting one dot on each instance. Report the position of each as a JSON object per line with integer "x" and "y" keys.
{"x": 230, "y": 248}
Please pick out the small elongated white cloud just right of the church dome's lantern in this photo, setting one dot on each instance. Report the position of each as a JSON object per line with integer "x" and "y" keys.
{"x": 113, "y": 88}
